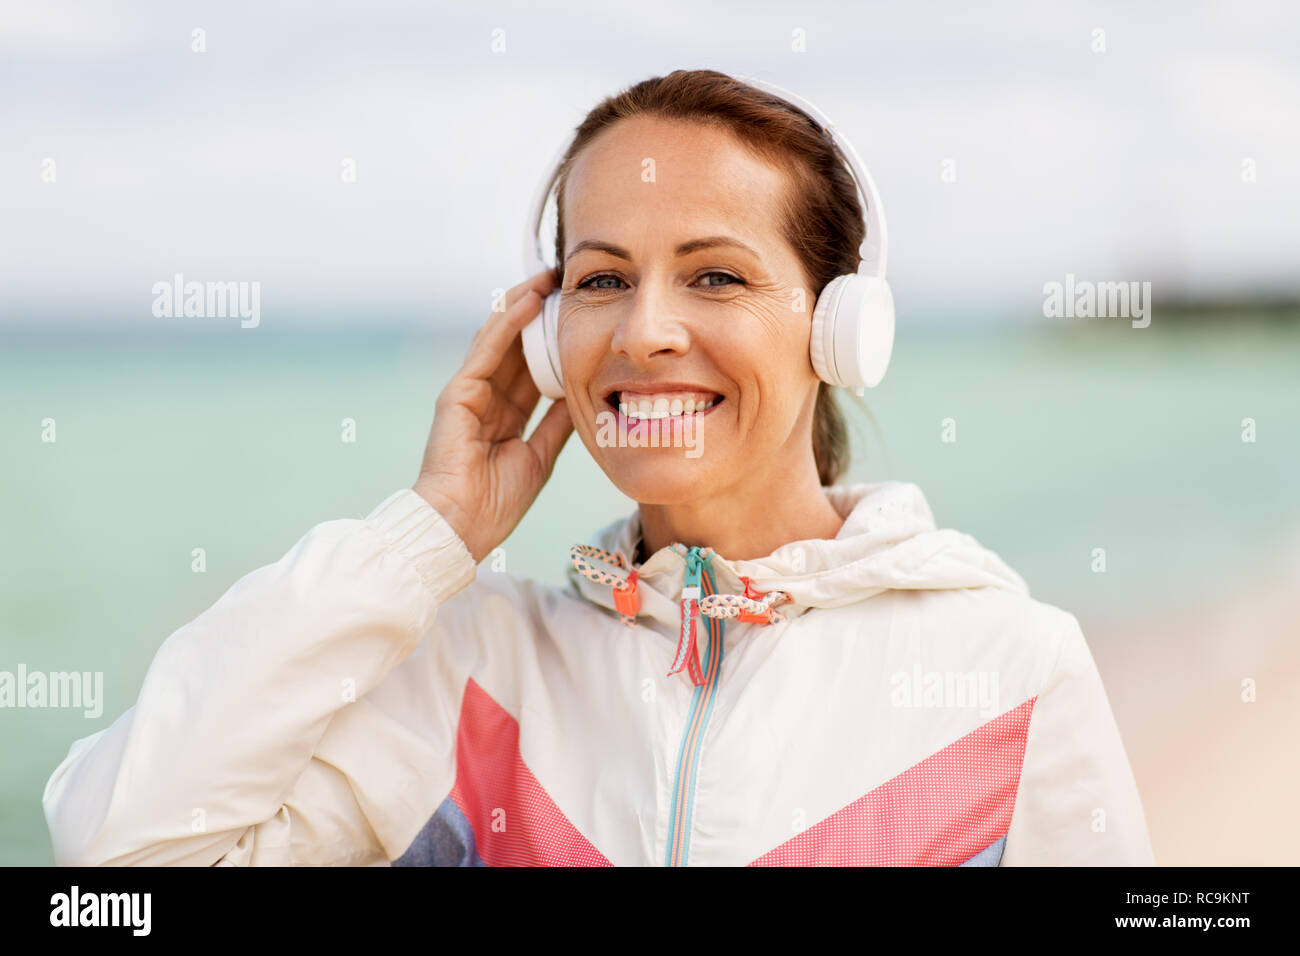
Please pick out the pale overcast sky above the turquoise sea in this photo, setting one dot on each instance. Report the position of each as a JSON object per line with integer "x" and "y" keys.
{"x": 1125, "y": 165}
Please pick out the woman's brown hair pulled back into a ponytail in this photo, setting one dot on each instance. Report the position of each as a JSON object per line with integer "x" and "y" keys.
{"x": 822, "y": 214}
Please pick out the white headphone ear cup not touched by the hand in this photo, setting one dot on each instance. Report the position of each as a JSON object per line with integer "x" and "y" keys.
{"x": 853, "y": 328}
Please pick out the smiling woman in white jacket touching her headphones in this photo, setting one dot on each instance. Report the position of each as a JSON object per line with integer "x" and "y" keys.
{"x": 760, "y": 667}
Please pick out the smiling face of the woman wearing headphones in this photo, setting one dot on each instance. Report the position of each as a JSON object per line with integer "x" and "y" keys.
{"x": 682, "y": 293}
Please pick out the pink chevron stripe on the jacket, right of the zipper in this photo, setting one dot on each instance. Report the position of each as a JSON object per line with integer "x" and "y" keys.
{"x": 942, "y": 812}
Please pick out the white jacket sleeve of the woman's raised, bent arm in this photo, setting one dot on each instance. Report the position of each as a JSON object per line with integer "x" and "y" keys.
{"x": 220, "y": 760}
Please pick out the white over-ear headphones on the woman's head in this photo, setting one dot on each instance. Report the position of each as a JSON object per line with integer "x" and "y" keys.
{"x": 853, "y": 322}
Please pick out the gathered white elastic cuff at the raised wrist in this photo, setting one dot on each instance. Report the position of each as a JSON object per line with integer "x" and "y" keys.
{"x": 411, "y": 527}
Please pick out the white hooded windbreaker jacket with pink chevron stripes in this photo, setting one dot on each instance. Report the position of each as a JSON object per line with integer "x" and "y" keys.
{"x": 370, "y": 699}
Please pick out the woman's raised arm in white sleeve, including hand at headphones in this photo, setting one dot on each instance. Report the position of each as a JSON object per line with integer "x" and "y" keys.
{"x": 254, "y": 739}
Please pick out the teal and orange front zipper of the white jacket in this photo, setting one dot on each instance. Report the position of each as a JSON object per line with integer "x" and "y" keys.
{"x": 678, "y": 850}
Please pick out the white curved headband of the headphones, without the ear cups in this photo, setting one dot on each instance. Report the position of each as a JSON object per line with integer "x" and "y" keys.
{"x": 874, "y": 248}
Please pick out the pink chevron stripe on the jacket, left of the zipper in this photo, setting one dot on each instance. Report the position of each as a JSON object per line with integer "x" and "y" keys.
{"x": 515, "y": 821}
